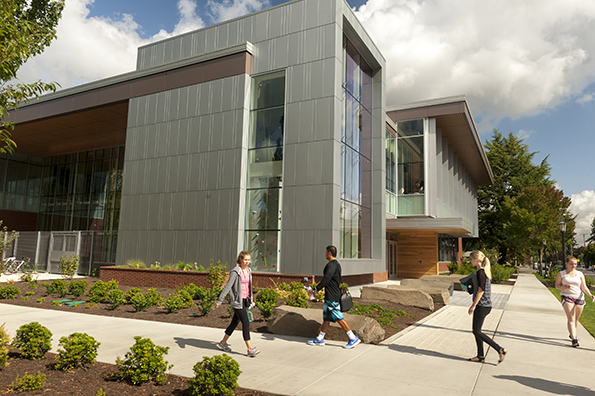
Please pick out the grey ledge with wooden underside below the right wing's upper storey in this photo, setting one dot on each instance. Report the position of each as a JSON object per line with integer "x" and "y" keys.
{"x": 456, "y": 227}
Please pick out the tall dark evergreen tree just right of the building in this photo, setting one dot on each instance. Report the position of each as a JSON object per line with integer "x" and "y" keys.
{"x": 511, "y": 163}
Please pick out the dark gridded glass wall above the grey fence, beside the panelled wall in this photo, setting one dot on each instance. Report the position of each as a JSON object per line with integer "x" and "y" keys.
{"x": 82, "y": 191}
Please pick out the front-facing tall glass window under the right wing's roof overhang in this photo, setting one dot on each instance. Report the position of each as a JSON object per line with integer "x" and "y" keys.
{"x": 410, "y": 174}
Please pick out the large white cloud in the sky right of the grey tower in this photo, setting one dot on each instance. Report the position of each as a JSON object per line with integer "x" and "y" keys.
{"x": 486, "y": 50}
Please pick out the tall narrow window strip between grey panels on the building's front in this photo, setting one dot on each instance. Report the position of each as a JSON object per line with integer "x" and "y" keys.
{"x": 265, "y": 171}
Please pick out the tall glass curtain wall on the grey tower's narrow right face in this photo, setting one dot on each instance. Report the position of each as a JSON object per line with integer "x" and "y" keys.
{"x": 355, "y": 210}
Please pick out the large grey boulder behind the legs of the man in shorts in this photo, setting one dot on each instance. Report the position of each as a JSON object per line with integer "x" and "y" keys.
{"x": 304, "y": 322}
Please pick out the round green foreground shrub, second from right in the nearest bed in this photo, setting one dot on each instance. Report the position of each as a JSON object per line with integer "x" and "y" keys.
{"x": 143, "y": 363}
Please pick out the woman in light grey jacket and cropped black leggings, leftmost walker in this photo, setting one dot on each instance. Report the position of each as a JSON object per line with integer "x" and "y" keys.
{"x": 239, "y": 287}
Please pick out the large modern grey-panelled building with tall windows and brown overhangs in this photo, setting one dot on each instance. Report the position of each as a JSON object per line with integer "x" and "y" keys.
{"x": 265, "y": 133}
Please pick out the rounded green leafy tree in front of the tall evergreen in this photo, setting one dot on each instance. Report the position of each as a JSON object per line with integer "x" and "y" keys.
{"x": 534, "y": 215}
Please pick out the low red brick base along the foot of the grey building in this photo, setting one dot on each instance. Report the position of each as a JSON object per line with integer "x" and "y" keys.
{"x": 145, "y": 277}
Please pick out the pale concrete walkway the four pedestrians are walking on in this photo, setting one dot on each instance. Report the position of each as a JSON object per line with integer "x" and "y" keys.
{"x": 428, "y": 358}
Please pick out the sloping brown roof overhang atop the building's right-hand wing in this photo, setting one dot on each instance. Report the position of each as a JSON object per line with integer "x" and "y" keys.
{"x": 454, "y": 118}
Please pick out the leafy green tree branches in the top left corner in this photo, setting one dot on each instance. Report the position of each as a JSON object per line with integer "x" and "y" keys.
{"x": 27, "y": 27}
